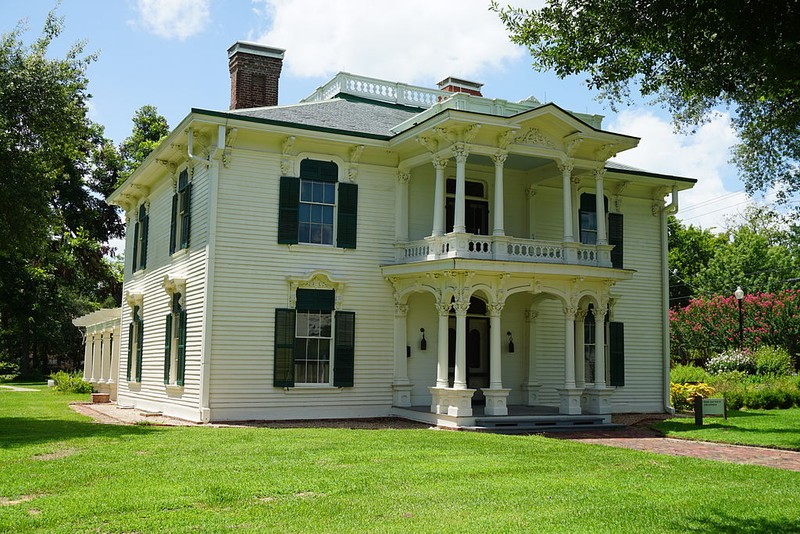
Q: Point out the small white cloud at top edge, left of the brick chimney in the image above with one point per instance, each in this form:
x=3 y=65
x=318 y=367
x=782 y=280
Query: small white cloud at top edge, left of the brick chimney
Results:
x=173 y=19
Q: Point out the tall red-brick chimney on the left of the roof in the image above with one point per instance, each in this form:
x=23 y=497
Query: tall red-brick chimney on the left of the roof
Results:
x=255 y=70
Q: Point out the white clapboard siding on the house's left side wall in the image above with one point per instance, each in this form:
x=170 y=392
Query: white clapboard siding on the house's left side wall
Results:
x=190 y=264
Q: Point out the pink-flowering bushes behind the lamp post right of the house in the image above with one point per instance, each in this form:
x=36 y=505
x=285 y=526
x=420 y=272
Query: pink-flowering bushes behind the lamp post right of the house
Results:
x=710 y=325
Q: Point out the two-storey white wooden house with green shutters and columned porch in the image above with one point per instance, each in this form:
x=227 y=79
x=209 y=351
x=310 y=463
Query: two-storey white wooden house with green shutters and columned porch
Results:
x=381 y=248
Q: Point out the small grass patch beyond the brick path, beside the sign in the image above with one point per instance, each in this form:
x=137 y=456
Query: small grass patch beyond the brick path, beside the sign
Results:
x=765 y=428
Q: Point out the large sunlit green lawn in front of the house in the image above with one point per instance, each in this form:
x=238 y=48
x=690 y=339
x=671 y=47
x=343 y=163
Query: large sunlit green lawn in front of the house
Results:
x=72 y=475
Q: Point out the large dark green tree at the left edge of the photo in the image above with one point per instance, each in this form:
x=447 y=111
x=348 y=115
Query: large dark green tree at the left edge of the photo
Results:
x=57 y=170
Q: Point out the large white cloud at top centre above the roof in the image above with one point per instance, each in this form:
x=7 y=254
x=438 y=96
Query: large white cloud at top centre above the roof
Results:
x=415 y=41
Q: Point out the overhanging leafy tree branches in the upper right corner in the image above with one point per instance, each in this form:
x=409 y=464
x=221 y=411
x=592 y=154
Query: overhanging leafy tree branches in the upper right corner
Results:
x=692 y=57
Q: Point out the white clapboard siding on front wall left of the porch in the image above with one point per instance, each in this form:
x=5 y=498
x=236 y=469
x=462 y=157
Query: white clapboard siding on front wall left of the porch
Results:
x=251 y=282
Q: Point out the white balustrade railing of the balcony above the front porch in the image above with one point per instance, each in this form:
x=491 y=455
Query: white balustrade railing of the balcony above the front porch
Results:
x=503 y=248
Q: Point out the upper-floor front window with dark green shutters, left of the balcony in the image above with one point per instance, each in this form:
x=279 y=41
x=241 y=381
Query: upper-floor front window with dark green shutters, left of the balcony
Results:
x=315 y=208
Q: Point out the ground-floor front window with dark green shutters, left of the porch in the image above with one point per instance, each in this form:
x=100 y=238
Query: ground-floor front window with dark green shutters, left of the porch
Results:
x=314 y=345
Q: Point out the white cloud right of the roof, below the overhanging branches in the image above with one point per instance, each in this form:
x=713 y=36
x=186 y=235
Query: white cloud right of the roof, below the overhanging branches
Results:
x=703 y=155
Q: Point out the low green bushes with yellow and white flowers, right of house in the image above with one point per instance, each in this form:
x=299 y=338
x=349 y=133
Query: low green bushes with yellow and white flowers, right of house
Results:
x=761 y=379
